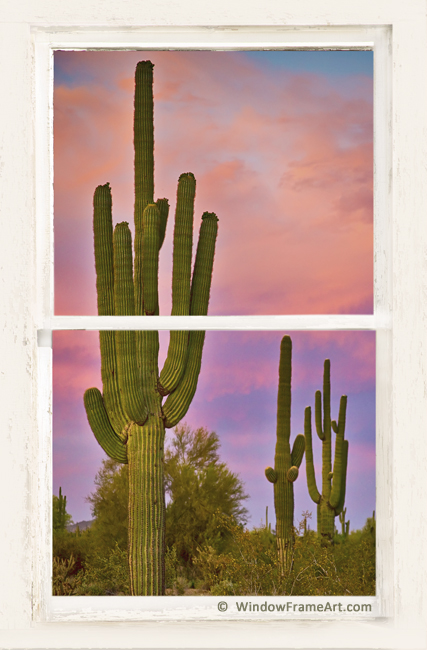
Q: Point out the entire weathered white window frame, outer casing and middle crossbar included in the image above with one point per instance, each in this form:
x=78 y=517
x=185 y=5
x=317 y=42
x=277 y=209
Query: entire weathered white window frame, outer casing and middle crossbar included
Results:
x=399 y=317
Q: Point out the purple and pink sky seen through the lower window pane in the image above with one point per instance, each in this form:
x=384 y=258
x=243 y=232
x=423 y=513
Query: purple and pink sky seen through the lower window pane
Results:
x=237 y=398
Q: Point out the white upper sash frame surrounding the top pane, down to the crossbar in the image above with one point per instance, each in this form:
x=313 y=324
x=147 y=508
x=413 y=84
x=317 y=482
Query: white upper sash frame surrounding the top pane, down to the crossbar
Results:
x=372 y=38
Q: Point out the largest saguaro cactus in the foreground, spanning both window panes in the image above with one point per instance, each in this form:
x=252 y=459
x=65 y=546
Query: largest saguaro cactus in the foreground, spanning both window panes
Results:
x=129 y=418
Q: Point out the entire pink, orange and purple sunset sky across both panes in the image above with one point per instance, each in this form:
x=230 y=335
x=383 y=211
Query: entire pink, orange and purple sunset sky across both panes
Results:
x=281 y=147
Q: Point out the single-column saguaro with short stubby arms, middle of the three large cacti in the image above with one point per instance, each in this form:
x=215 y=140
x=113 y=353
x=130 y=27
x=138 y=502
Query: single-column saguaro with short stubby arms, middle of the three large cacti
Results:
x=286 y=462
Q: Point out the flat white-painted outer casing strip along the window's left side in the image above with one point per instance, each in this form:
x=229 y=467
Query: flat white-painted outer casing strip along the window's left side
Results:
x=17 y=343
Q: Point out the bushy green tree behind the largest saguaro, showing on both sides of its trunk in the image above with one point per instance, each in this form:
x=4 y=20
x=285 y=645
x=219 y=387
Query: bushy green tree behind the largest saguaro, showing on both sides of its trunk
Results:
x=199 y=488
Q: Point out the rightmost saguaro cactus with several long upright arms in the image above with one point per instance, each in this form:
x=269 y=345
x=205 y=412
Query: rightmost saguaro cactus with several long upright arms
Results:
x=330 y=502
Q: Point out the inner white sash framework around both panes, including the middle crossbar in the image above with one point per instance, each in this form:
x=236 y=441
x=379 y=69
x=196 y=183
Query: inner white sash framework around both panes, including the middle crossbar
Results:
x=378 y=39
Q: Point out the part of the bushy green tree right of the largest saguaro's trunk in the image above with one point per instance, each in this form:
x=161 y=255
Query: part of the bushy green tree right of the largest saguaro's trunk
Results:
x=201 y=490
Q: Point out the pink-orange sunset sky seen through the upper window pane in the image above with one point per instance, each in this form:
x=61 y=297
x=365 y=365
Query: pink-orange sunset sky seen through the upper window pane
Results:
x=280 y=143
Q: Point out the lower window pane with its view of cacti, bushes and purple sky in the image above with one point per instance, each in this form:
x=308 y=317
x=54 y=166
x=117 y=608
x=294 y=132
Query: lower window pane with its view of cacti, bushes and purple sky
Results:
x=229 y=526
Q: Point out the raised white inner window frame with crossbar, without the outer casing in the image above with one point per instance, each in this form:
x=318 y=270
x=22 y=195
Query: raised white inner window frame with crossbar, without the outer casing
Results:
x=61 y=609
